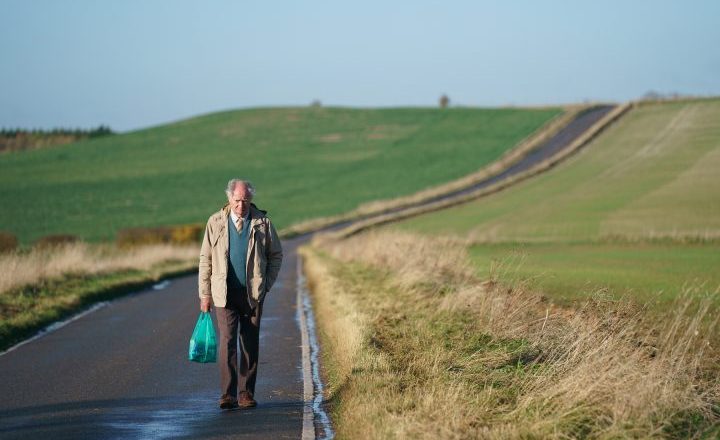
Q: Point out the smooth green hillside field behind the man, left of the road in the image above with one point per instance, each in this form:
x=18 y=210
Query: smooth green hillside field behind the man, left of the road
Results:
x=305 y=162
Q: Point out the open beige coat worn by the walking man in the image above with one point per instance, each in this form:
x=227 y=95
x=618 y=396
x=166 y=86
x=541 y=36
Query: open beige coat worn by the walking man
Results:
x=263 y=258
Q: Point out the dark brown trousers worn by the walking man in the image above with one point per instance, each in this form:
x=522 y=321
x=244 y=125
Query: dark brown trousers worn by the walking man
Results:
x=237 y=317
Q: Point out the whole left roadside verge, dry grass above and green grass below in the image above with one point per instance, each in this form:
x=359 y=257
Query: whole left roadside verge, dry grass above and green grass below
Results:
x=44 y=286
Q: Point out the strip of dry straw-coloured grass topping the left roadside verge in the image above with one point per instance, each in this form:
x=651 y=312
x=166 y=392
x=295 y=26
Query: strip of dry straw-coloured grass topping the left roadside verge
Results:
x=26 y=268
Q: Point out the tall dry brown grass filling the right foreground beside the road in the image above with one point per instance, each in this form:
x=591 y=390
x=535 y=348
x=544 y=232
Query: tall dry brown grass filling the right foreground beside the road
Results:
x=434 y=352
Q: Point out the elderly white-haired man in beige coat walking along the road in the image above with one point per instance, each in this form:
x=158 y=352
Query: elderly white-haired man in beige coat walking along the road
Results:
x=239 y=262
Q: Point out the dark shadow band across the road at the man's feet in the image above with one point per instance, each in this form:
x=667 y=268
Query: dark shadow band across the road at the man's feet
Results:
x=151 y=417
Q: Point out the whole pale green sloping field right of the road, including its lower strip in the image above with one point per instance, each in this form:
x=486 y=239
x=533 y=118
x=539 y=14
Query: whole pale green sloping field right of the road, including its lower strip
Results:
x=617 y=215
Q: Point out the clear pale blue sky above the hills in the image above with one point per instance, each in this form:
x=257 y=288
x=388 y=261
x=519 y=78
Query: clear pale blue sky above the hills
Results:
x=132 y=63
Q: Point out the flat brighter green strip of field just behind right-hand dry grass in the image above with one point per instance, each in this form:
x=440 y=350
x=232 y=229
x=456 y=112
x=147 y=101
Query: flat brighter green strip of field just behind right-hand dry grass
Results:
x=648 y=272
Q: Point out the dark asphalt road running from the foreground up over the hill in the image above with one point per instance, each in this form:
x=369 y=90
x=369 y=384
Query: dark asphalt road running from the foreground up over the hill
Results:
x=122 y=372
